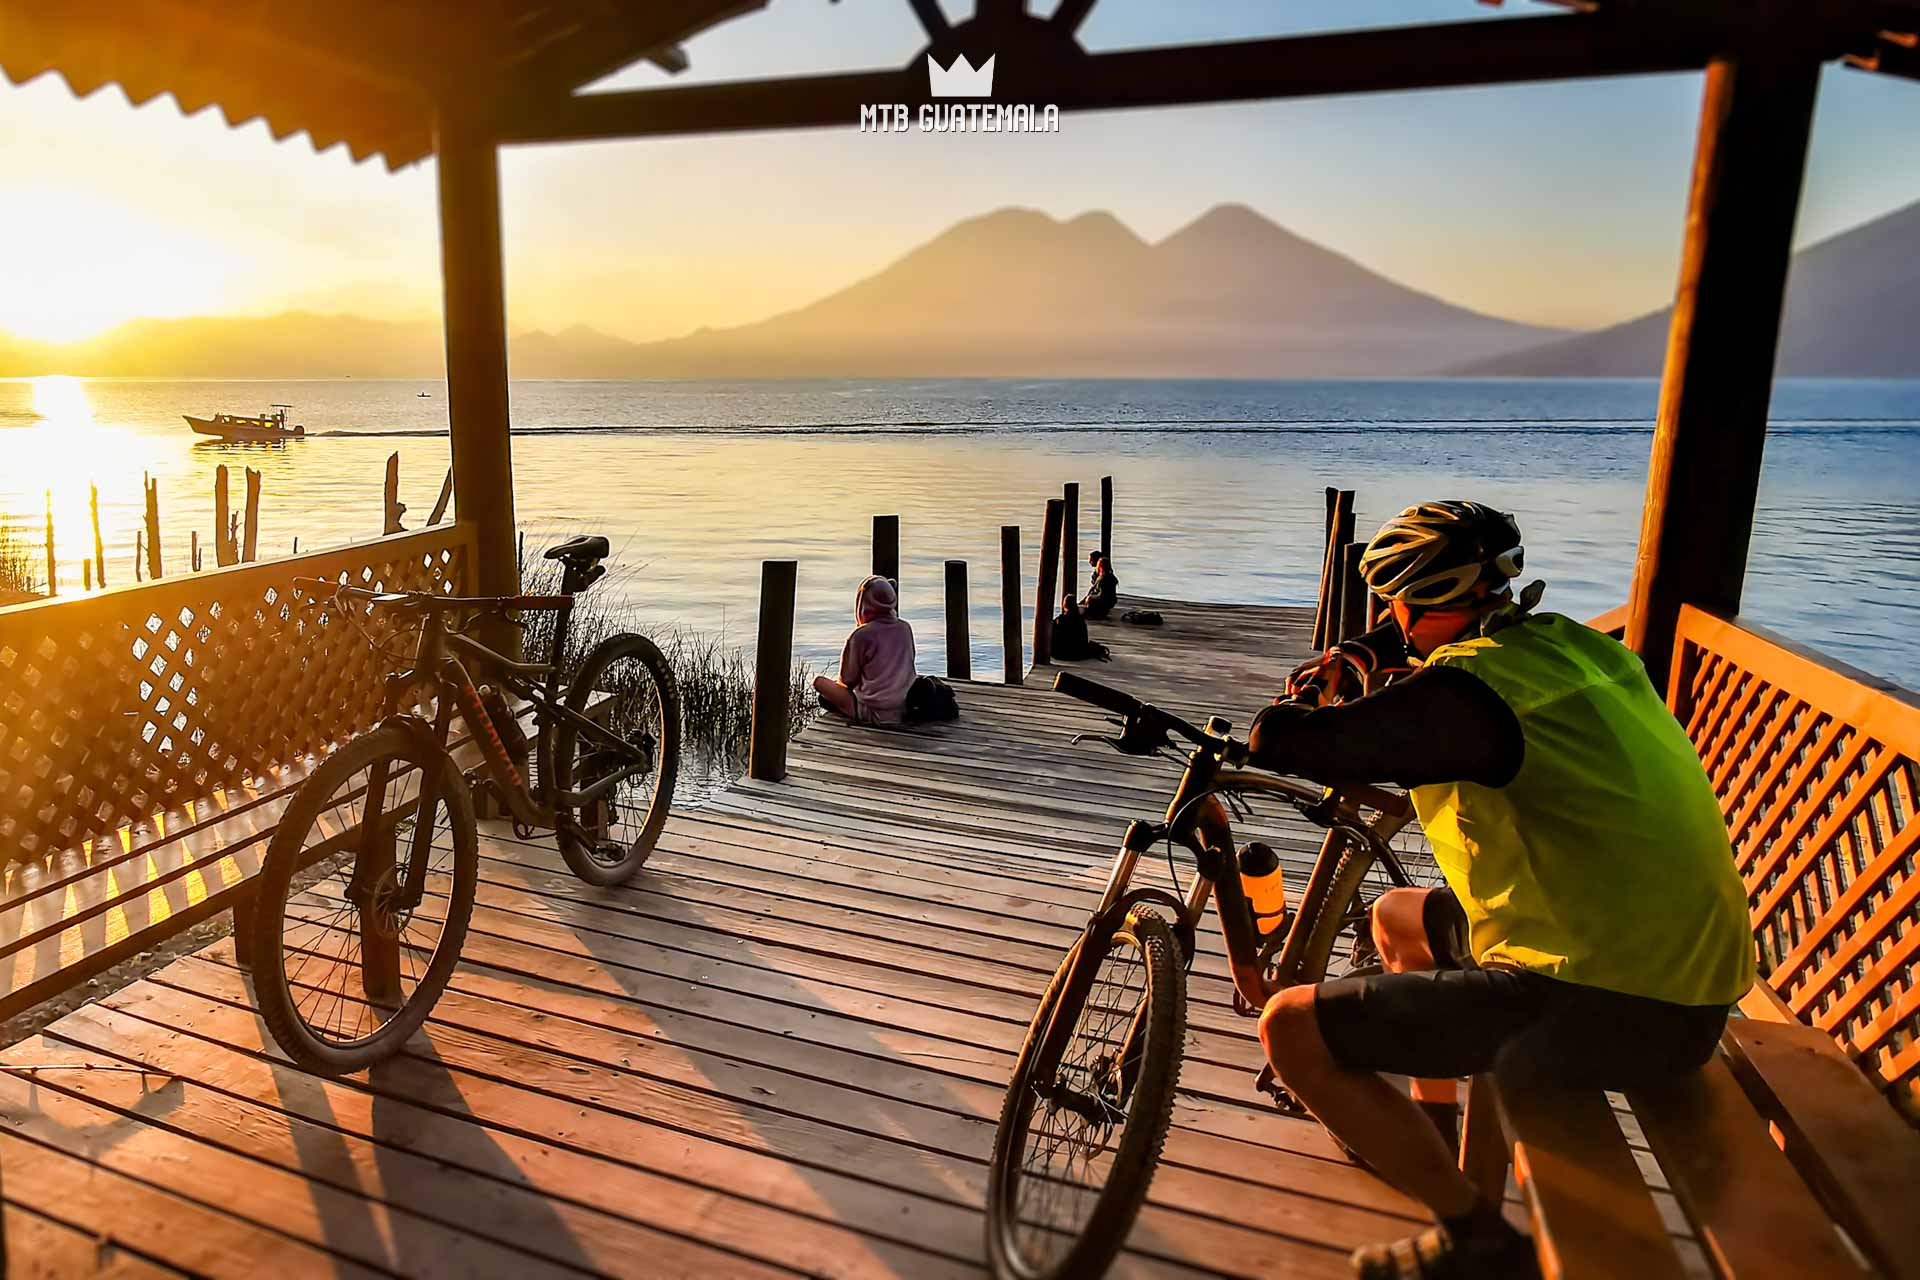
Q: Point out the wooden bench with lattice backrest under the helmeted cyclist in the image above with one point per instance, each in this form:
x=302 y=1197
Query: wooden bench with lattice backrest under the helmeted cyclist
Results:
x=1794 y=1150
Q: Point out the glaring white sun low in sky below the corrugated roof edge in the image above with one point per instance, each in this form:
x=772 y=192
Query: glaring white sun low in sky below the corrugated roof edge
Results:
x=78 y=266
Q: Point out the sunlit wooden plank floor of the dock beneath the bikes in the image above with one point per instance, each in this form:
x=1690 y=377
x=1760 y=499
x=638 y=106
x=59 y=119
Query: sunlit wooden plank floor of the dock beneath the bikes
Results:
x=779 y=1053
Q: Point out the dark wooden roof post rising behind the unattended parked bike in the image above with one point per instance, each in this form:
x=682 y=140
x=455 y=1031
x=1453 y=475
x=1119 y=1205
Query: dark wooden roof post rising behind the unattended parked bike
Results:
x=475 y=312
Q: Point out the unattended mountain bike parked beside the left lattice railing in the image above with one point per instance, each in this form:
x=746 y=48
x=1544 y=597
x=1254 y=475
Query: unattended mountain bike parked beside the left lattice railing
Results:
x=347 y=970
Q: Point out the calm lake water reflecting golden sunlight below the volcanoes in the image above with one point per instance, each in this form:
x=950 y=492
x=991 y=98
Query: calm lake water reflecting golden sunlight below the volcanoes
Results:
x=1218 y=485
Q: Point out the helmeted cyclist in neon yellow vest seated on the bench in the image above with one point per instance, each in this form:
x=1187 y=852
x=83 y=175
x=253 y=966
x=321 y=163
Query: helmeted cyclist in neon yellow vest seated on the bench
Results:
x=1593 y=930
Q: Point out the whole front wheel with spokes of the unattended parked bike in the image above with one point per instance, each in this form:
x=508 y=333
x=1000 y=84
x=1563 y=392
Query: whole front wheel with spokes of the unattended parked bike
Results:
x=345 y=984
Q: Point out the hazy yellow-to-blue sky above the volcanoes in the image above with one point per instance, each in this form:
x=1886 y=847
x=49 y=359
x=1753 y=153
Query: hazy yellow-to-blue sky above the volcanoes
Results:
x=1554 y=204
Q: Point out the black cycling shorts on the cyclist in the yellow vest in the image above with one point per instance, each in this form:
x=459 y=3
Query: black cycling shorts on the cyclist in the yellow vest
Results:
x=1460 y=1022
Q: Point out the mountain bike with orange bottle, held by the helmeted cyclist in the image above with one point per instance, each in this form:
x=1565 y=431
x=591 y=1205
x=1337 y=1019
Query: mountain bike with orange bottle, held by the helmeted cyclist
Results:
x=1092 y=1099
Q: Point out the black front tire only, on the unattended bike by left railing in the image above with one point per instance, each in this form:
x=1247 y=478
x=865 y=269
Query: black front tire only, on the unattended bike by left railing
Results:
x=285 y=857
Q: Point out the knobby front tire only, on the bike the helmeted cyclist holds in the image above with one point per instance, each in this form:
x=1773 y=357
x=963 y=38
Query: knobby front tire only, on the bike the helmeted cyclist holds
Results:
x=1143 y=1135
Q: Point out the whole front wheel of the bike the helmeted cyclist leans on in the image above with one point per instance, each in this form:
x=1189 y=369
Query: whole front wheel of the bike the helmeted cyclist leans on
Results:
x=1065 y=1185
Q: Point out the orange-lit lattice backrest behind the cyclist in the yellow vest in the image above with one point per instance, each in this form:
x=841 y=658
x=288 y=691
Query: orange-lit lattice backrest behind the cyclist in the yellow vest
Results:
x=1819 y=770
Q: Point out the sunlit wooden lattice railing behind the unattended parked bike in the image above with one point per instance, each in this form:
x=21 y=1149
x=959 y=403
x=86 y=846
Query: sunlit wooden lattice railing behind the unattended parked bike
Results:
x=128 y=703
